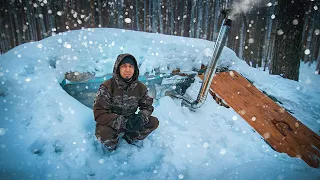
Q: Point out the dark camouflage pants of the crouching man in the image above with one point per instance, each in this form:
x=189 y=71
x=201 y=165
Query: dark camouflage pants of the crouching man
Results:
x=108 y=134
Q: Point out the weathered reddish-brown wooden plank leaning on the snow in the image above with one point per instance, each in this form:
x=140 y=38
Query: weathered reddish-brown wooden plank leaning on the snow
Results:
x=279 y=128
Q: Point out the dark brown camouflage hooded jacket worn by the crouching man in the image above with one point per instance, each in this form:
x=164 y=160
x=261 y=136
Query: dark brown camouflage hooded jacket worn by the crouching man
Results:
x=116 y=99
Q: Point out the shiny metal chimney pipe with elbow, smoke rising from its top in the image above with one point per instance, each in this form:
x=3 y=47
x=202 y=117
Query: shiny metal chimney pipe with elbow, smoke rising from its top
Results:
x=210 y=72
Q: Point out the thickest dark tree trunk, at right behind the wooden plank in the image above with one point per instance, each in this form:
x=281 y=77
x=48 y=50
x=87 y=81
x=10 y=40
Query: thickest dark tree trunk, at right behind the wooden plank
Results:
x=286 y=59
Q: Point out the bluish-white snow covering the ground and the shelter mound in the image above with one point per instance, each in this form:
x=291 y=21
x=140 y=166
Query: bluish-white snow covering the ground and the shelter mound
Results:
x=47 y=134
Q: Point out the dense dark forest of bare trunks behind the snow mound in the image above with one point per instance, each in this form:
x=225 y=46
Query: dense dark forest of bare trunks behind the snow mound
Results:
x=273 y=35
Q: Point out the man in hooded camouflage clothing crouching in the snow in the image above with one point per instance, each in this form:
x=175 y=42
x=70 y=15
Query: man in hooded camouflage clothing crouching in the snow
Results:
x=117 y=101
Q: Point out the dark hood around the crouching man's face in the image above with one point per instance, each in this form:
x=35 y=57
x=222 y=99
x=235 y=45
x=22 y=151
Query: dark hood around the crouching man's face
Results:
x=116 y=72
